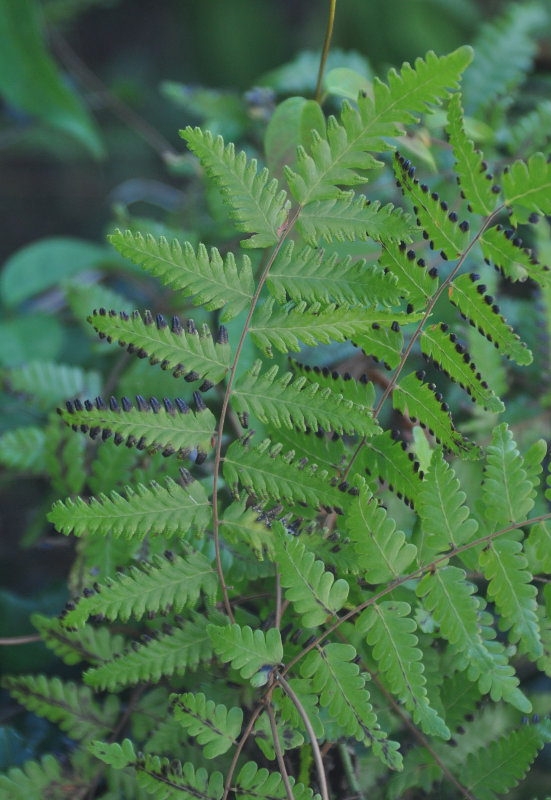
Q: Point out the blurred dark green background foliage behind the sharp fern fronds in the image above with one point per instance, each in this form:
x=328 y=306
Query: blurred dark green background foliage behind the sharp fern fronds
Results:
x=92 y=95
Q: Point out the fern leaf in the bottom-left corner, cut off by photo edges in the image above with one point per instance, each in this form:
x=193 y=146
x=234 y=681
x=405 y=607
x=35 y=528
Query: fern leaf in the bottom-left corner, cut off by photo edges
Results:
x=36 y=780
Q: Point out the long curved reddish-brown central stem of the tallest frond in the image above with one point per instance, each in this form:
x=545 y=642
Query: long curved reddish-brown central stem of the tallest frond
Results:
x=225 y=405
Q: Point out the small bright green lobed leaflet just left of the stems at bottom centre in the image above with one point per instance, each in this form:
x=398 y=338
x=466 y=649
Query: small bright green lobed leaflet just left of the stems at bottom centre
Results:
x=212 y=725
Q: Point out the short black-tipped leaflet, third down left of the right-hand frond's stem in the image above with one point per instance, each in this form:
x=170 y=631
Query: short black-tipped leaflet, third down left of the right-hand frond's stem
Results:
x=414 y=280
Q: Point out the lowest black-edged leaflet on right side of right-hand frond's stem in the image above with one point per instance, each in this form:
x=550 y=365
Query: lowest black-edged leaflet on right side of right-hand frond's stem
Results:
x=387 y=460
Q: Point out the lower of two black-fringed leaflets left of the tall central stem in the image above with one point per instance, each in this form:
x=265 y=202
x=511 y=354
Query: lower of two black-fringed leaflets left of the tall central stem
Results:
x=169 y=427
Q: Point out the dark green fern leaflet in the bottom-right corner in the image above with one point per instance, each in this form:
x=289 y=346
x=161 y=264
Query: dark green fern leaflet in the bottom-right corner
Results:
x=500 y=765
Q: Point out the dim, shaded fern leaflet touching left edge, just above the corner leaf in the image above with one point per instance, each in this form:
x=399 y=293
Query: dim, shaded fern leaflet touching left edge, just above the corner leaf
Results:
x=70 y=706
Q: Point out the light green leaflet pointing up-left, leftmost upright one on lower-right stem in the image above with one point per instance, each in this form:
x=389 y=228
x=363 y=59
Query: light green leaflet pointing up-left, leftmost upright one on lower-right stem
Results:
x=313 y=591
